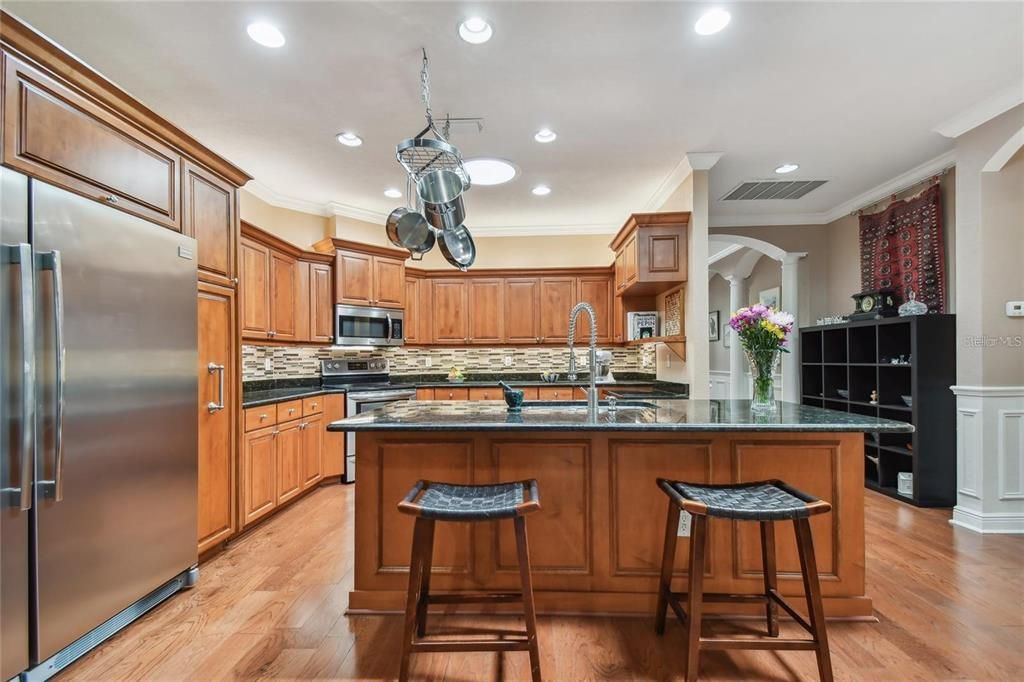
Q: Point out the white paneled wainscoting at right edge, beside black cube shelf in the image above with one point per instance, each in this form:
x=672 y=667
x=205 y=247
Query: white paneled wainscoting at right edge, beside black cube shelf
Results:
x=990 y=459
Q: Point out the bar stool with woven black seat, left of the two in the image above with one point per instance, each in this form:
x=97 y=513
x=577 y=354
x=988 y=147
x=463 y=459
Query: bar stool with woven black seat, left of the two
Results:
x=432 y=502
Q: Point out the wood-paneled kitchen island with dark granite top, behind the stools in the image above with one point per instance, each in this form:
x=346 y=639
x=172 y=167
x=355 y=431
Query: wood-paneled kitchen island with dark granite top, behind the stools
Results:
x=596 y=543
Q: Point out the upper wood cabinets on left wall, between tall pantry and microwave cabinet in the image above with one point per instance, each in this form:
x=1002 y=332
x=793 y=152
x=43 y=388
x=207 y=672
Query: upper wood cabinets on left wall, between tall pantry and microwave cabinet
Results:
x=287 y=293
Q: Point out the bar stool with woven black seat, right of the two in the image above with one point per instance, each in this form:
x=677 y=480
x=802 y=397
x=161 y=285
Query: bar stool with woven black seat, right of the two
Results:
x=766 y=501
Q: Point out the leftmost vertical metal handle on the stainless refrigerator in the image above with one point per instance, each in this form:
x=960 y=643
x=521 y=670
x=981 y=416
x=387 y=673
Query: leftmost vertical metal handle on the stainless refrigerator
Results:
x=21 y=255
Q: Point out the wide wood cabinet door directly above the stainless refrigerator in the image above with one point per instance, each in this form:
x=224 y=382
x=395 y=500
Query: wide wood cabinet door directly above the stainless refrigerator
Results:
x=55 y=134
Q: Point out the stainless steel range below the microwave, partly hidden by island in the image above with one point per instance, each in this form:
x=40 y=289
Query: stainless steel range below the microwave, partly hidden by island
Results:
x=368 y=387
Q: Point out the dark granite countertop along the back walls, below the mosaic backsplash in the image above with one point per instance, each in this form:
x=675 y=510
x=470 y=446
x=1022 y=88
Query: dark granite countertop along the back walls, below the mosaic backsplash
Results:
x=255 y=394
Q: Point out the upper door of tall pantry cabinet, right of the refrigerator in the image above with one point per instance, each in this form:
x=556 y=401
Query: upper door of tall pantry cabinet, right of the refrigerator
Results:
x=208 y=215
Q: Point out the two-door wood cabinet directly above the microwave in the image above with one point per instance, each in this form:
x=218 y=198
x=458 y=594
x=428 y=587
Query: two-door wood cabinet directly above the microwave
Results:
x=363 y=279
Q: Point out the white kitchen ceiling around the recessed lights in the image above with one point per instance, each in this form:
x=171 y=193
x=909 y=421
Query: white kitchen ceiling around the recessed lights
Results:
x=851 y=93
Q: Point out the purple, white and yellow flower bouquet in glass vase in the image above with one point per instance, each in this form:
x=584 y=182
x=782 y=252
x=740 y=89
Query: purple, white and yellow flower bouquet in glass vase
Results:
x=762 y=332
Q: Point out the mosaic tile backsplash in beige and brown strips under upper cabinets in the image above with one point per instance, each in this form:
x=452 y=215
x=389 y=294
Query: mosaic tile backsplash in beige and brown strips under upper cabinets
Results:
x=304 y=362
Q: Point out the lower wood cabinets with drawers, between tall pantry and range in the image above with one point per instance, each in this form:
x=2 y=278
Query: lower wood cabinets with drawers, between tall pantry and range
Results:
x=282 y=461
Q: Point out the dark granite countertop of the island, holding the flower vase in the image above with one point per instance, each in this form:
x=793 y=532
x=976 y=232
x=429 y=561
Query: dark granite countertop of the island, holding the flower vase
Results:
x=653 y=415
